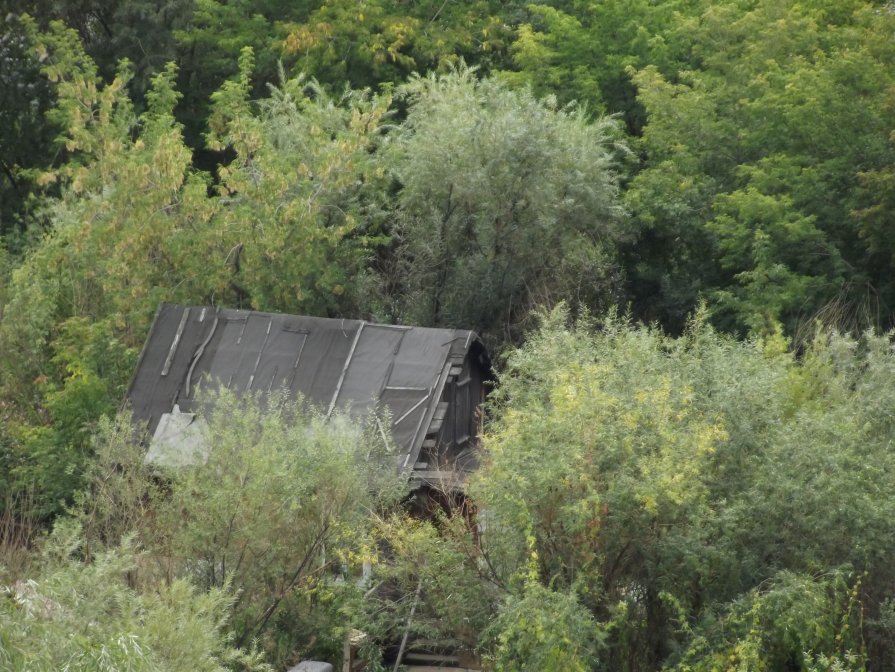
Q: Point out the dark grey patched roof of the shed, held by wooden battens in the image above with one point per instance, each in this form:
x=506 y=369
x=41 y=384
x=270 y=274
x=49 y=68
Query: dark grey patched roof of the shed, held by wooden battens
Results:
x=333 y=363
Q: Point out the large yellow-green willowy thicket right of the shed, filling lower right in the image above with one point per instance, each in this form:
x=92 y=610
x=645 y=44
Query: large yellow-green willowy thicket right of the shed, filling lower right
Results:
x=699 y=497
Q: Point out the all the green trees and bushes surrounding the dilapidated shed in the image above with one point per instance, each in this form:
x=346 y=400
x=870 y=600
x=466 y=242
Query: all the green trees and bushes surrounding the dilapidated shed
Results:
x=711 y=491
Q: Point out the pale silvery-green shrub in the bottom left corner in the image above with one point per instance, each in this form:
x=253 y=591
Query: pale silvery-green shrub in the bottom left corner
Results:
x=87 y=616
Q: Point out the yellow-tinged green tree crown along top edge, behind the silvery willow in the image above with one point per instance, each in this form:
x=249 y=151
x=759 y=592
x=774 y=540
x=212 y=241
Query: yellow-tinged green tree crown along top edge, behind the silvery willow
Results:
x=338 y=43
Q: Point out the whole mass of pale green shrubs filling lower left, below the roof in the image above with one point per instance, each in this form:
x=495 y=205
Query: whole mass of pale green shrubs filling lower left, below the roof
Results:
x=259 y=545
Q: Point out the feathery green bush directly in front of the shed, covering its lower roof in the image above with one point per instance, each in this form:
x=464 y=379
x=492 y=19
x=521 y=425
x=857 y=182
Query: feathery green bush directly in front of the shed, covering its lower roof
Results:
x=281 y=513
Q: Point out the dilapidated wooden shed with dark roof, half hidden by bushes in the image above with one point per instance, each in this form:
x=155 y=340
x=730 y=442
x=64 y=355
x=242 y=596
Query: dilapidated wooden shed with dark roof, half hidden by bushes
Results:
x=431 y=380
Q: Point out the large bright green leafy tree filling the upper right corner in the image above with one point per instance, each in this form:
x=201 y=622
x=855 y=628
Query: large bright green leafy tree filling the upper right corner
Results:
x=756 y=151
